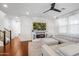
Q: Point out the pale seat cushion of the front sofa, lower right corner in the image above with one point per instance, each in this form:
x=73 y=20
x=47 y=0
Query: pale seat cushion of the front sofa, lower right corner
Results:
x=70 y=50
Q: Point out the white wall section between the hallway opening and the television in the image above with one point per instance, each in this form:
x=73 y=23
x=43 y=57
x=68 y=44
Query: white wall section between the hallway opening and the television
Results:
x=26 y=27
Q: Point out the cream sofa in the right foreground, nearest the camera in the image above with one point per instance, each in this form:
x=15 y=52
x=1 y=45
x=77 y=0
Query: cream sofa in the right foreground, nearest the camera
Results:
x=66 y=49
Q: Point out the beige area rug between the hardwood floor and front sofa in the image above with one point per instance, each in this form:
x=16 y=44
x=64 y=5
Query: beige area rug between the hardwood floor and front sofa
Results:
x=34 y=48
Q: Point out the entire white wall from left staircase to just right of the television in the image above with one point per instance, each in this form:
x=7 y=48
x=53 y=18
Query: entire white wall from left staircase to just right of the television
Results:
x=24 y=25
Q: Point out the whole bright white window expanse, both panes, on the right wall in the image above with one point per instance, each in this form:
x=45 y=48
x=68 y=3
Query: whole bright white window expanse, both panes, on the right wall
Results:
x=69 y=25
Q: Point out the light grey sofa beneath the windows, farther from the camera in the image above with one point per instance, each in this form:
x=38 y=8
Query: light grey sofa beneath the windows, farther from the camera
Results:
x=66 y=38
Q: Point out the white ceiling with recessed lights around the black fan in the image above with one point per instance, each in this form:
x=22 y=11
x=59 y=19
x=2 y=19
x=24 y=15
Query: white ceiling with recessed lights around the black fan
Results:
x=37 y=9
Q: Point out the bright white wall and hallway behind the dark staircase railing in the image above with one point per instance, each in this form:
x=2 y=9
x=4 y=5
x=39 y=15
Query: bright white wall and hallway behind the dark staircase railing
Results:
x=12 y=24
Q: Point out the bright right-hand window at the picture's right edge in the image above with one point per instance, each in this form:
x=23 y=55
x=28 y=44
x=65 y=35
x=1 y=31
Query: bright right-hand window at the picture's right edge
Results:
x=74 y=24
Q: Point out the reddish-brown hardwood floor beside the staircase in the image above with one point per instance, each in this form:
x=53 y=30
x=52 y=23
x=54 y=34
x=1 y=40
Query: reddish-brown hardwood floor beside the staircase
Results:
x=15 y=48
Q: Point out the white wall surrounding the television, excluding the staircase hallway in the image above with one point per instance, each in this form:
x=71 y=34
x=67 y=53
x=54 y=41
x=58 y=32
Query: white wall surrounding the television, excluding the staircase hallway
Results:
x=26 y=26
